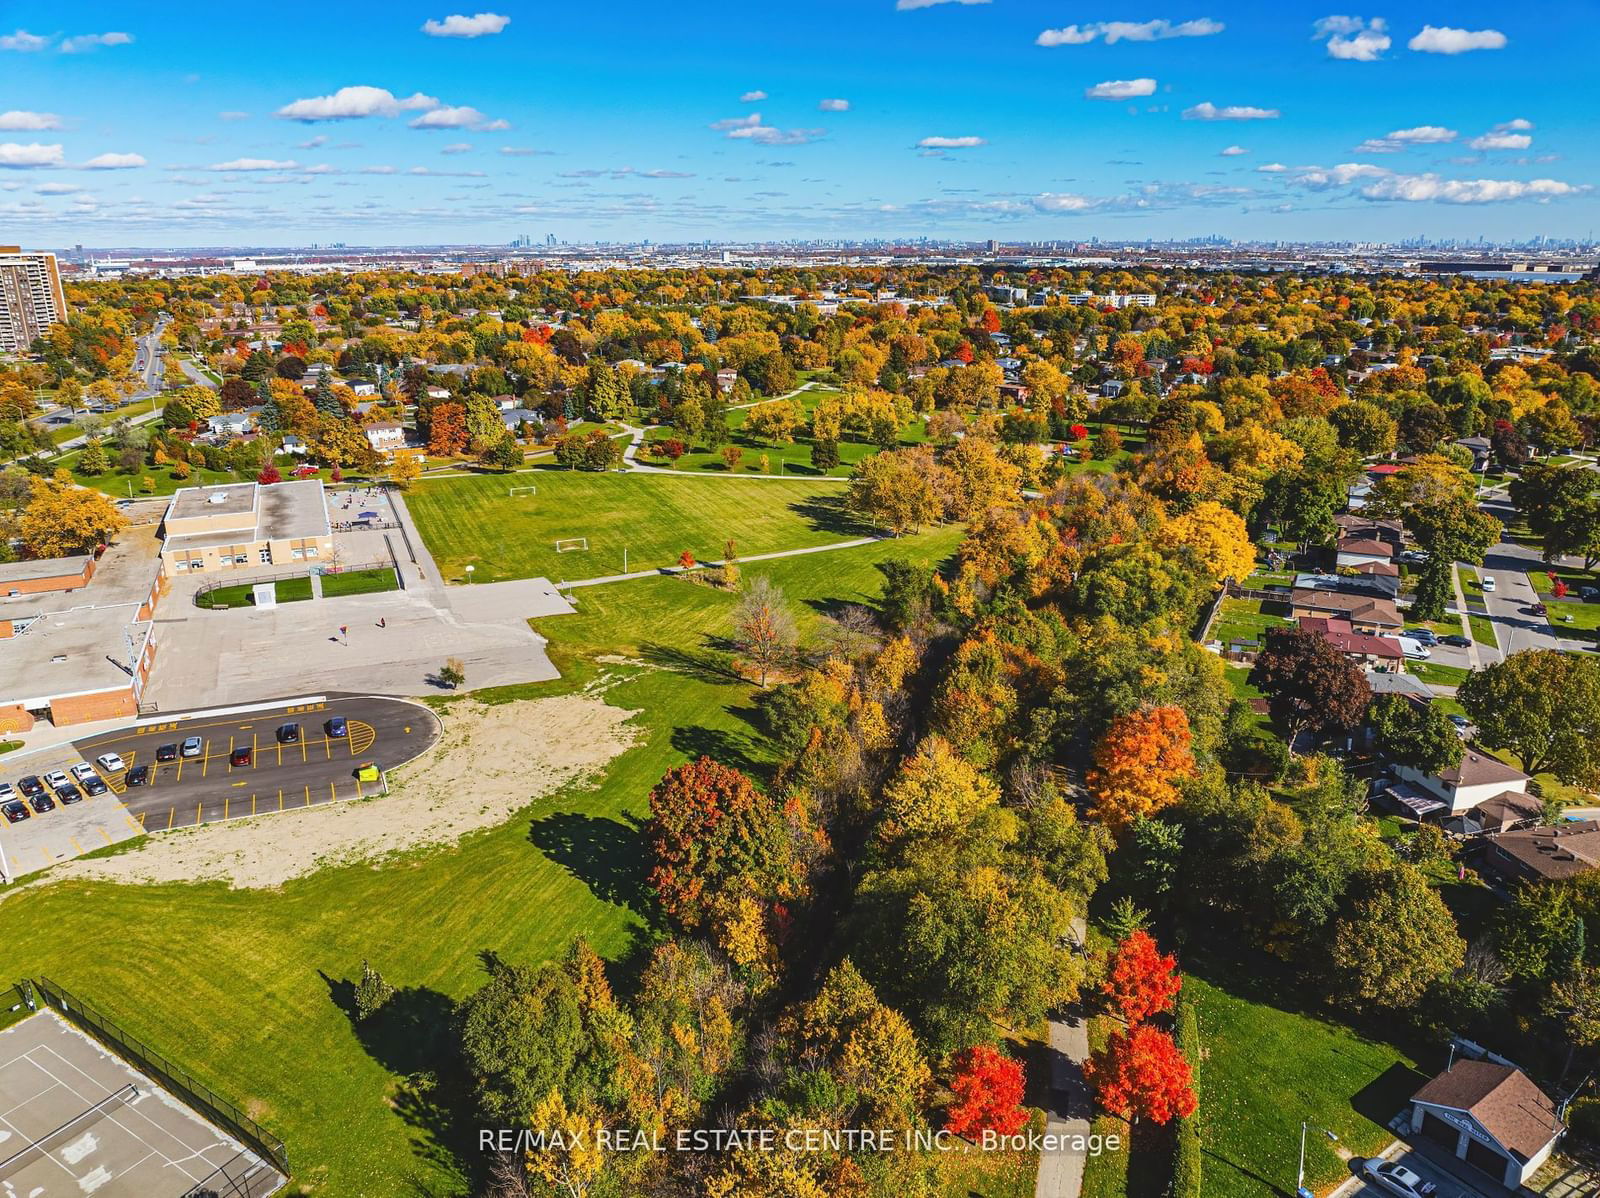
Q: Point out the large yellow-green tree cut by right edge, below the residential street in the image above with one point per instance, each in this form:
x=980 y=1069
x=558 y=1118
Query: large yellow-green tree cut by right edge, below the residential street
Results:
x=1545 y=708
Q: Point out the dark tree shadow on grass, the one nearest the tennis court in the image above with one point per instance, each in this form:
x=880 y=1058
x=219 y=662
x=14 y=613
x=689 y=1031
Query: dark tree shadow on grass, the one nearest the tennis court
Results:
x=414 y=1037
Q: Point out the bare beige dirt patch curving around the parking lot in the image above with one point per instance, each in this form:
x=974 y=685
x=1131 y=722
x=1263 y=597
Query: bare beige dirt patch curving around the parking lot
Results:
x=489 y=764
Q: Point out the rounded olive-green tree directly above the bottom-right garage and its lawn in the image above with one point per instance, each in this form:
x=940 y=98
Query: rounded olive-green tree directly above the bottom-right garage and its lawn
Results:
x=1394 y=940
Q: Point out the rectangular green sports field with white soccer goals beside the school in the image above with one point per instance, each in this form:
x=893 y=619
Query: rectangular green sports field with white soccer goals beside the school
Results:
x=655 y=519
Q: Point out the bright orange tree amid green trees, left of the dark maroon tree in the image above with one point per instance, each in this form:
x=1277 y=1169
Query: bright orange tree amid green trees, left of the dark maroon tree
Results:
x=1138 y=764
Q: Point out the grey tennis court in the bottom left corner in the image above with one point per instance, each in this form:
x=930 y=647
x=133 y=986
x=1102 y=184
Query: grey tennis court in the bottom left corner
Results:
x=76 y=1119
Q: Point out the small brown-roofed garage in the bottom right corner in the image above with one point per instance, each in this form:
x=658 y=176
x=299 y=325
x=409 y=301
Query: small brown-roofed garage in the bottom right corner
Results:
x=1492 y=1117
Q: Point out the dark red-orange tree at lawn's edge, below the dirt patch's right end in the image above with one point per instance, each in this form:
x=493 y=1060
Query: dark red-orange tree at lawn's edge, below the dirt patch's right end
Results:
x=711 y=833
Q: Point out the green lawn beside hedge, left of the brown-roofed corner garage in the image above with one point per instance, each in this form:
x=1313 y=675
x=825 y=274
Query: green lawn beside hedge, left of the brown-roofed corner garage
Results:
x=1268 y=1064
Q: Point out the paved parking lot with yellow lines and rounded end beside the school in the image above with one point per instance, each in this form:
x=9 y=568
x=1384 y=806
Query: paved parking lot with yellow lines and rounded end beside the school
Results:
x=279 y=775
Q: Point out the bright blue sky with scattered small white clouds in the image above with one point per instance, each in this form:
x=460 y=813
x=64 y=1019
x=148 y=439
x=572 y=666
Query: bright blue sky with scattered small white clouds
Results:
x=174 y=124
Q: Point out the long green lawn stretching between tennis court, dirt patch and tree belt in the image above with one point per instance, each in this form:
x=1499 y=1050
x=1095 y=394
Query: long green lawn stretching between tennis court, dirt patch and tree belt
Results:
x=242 y=986
